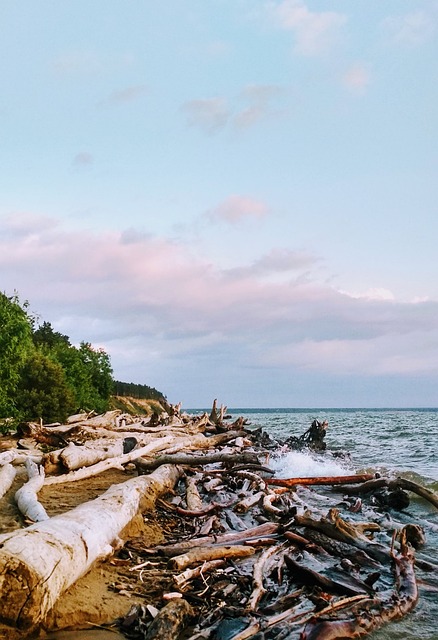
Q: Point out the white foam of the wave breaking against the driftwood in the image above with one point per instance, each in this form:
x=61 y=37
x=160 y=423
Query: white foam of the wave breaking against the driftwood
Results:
x=298 y=464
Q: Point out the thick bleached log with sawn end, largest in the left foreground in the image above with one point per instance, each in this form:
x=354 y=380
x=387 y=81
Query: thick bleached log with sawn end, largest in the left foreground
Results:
x=39 y=563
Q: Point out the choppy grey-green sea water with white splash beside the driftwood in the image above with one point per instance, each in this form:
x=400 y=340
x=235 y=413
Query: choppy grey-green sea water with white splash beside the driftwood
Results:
x=393 y=442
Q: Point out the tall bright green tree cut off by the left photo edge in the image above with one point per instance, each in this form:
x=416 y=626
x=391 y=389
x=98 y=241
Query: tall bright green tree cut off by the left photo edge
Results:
x=15 y=347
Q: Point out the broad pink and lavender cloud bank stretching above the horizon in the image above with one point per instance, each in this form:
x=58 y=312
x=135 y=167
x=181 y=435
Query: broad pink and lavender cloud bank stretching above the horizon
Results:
x=154 y=301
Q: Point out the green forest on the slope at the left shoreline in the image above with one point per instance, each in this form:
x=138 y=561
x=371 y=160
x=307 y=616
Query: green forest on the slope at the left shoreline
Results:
x=43 y=375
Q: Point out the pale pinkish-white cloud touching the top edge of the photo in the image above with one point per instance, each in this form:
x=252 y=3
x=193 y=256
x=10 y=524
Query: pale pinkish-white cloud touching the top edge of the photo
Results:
x=315 y=32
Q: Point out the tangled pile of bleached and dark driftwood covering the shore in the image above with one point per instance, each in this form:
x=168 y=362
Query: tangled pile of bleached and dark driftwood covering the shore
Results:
x=248 y=556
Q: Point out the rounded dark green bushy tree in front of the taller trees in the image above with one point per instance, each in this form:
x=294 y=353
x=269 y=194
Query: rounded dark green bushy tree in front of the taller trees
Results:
x=43 y=391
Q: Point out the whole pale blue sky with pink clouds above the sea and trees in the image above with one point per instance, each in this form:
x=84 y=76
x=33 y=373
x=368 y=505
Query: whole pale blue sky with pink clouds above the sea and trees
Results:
x=236 y=199
